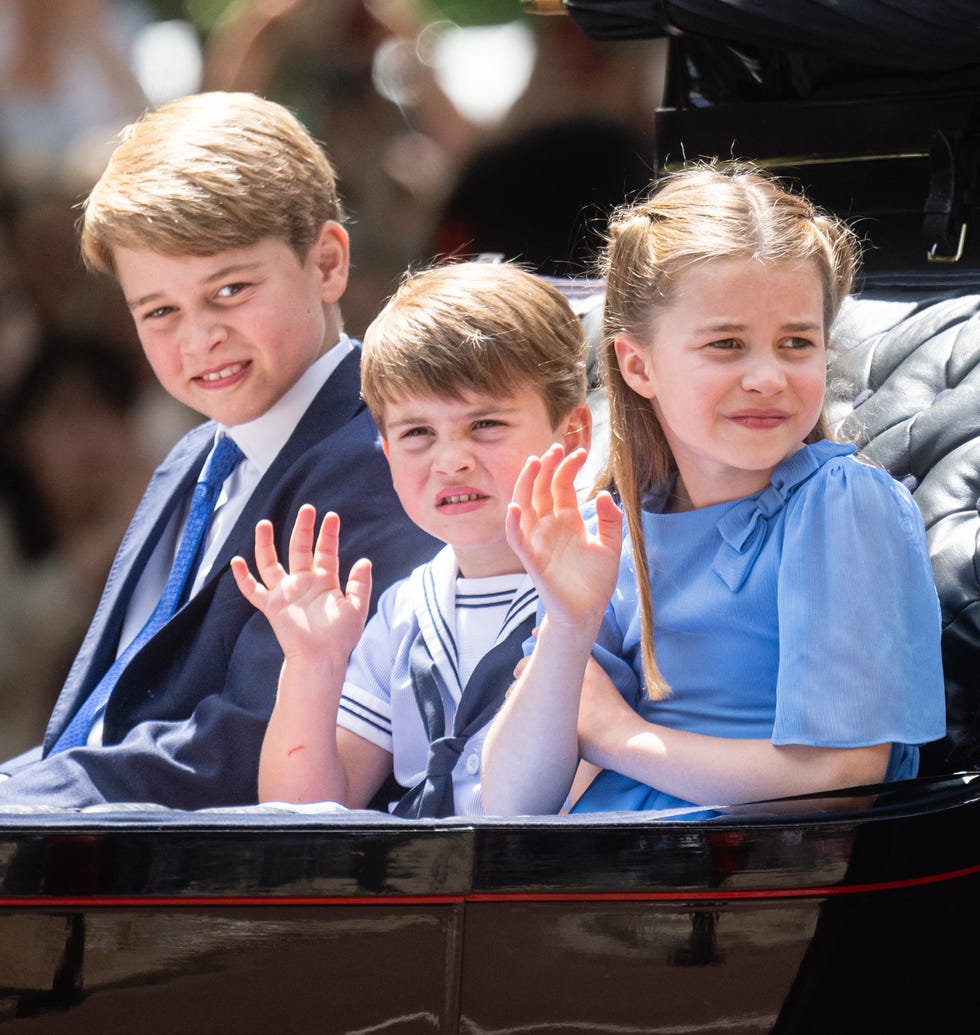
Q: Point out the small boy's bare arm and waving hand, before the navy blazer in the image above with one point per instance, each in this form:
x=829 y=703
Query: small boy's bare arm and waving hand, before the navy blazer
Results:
x=318 y=626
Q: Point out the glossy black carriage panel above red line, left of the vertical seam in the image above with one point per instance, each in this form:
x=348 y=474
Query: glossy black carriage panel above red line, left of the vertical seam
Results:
x=192 y=862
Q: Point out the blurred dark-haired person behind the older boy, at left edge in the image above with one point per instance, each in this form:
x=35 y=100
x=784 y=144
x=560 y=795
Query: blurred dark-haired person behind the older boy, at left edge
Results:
x=72 y=470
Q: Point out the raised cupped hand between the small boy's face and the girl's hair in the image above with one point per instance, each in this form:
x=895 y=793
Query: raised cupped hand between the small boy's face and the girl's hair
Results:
x=574 y=571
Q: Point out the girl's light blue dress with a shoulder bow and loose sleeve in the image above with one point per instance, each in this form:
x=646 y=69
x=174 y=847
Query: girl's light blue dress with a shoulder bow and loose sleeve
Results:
x=806 y=613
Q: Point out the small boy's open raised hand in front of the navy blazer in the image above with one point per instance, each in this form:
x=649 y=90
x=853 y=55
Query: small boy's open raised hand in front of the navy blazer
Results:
x=307 y=608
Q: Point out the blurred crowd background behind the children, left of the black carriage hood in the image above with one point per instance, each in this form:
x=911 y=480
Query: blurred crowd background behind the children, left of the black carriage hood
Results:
x=457 y=128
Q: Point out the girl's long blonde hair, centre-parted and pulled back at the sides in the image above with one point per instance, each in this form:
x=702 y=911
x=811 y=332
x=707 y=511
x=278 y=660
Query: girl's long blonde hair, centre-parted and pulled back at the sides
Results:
x=696 y=215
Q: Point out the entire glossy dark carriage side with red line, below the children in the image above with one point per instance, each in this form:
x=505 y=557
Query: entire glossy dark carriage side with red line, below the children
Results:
x=840 y=923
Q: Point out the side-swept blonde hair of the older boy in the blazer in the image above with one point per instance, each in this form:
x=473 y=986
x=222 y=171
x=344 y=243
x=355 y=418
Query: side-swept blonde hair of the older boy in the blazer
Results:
x=207 y=173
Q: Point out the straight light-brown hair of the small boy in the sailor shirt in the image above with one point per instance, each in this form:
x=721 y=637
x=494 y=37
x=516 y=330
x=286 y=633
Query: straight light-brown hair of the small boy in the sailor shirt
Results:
x=491 y=329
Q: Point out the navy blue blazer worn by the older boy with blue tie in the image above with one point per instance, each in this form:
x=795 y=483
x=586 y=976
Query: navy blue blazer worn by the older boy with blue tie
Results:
x=186 y=722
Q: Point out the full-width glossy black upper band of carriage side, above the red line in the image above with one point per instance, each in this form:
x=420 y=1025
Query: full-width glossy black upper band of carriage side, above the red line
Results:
x=917 y=830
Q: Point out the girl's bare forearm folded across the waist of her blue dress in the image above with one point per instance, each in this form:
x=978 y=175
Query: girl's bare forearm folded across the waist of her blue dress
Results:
x=706 y=770
